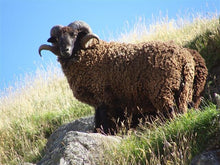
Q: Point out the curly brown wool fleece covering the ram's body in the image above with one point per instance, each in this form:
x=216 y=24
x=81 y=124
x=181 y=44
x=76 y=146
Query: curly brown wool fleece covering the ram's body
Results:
x=153 y=76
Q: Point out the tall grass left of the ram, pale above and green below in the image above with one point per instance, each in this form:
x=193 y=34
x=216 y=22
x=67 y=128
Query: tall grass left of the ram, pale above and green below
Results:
x=32 y=111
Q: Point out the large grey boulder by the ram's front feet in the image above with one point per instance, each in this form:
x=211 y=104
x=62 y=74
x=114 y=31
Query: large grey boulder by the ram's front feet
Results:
x=74 y=143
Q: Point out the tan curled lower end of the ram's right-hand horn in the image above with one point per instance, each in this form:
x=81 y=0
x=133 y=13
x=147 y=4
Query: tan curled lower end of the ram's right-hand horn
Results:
x=89 y=40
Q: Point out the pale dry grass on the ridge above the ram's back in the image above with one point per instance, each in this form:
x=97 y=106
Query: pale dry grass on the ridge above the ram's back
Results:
x=181 y=31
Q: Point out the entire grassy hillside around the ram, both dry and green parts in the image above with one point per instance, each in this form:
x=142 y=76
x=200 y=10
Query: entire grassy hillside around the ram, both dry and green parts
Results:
x=44 y=101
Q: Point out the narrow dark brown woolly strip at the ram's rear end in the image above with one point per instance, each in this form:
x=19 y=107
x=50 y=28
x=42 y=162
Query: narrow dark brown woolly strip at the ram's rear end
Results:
x=201 y=73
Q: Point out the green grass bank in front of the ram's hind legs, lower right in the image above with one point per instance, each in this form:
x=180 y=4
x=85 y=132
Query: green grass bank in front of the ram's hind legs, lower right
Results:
x=173 y=142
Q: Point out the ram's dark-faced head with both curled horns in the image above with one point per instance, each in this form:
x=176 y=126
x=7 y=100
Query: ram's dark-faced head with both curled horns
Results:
x=68 y=40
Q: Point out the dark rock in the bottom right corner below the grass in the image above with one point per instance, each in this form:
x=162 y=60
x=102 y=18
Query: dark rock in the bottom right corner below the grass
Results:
x=207 y=158
